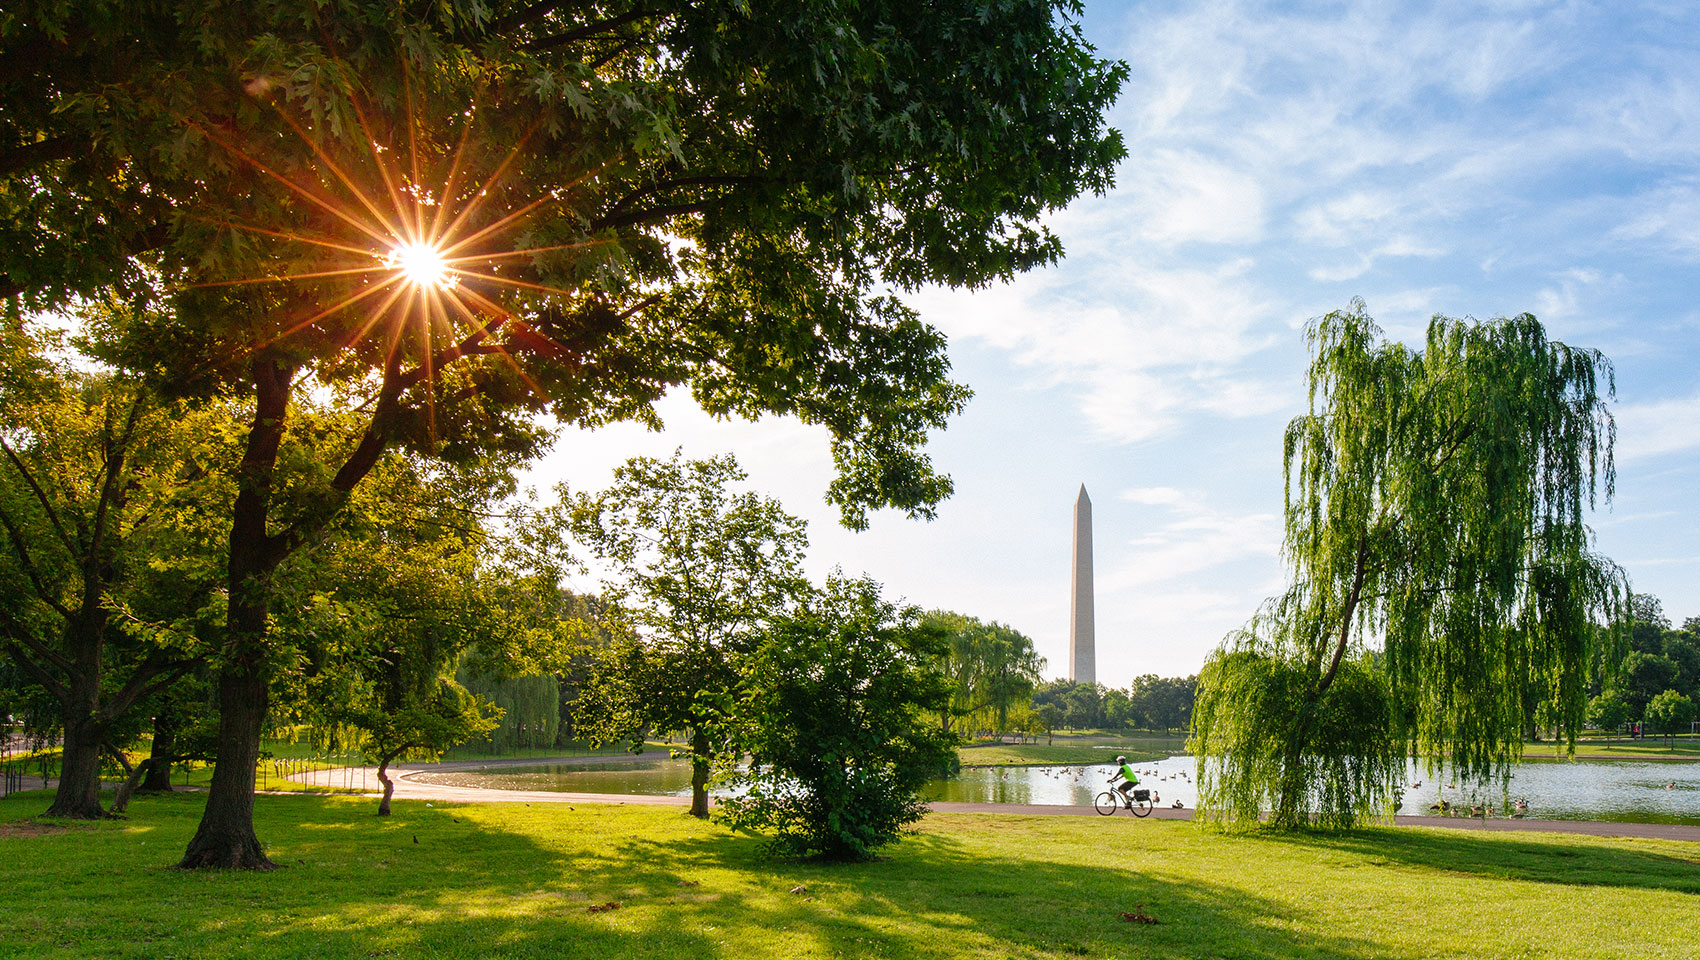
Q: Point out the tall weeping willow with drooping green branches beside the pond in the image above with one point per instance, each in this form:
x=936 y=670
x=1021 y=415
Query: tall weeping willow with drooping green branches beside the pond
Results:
x=1444 y=582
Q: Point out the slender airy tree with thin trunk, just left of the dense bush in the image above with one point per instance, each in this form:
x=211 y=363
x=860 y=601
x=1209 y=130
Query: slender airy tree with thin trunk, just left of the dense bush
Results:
x=700 y=570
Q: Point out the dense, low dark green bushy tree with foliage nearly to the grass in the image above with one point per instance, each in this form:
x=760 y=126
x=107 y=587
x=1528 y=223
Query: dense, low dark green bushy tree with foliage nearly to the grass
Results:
x=834 y=713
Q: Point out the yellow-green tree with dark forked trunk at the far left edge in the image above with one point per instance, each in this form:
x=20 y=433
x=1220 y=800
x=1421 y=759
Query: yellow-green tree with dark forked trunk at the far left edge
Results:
x=96 y=477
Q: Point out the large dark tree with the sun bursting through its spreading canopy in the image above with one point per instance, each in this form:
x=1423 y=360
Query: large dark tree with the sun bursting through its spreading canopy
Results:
x=472 y=213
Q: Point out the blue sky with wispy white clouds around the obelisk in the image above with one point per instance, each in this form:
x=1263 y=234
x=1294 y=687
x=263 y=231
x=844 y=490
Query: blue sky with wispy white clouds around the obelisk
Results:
x=1471 y=161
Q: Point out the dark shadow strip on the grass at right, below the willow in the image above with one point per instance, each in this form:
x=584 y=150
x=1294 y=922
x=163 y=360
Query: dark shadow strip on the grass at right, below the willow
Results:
x=1546 y=859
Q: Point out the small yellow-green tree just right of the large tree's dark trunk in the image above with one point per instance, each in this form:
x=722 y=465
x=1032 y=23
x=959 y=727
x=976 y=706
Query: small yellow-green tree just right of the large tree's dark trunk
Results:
x=407 y=587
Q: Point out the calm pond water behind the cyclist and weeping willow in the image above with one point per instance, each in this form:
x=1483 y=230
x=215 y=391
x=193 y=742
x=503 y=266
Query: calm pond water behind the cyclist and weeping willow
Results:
x=1565 y=791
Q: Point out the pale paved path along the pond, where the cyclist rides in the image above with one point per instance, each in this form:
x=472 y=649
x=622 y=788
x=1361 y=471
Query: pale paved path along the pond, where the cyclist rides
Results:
x=412 y=789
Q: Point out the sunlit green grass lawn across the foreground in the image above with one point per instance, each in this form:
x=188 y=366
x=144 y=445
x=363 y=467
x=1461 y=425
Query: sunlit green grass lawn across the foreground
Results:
x=511 y=881
